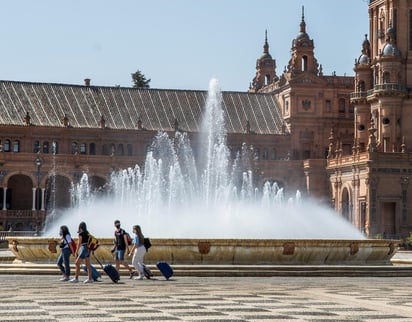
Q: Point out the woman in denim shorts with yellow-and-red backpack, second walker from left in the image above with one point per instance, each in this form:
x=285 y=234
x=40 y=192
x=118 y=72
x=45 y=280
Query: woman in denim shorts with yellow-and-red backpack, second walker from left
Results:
x=82 y=254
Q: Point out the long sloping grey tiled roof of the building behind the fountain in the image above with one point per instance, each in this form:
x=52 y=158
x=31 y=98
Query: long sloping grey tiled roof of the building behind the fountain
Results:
x=122 y=107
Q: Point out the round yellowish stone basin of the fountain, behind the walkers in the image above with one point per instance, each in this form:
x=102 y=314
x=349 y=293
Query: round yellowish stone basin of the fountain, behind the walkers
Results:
x=228 y=251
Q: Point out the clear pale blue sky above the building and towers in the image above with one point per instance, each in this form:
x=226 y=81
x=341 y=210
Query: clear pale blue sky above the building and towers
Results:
x=177 y=44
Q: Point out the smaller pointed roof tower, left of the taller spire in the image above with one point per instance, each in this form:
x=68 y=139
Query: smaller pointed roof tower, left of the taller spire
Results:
x=265 y=69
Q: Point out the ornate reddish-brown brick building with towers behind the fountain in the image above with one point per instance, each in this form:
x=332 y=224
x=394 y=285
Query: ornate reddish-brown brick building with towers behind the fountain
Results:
x=343 y=140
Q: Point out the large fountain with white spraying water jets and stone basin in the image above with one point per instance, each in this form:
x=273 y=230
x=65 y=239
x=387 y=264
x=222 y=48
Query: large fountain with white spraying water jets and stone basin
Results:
x=198 y=206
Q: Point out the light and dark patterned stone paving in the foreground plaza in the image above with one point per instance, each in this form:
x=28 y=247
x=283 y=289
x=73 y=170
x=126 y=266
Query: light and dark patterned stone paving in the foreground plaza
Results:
x=44 y=298
